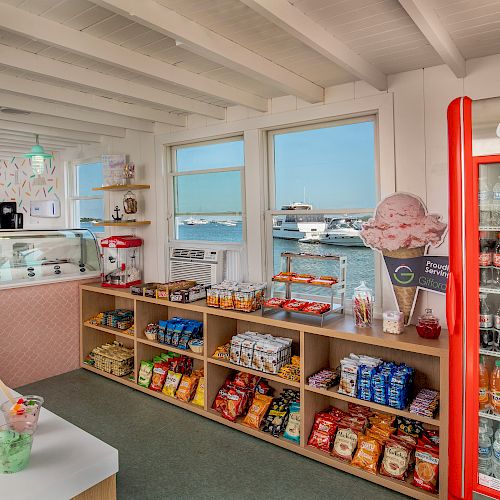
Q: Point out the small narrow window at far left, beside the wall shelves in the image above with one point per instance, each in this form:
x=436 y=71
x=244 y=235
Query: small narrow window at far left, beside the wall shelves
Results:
x=87 y=206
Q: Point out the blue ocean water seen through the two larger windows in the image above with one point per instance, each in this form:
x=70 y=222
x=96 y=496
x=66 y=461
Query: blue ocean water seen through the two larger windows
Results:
x=360 y=260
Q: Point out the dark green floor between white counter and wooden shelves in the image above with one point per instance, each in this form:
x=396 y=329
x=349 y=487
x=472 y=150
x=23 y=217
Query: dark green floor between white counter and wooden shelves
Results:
x=166 y=452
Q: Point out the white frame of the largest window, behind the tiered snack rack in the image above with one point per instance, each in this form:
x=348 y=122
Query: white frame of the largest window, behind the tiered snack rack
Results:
x=272 y=211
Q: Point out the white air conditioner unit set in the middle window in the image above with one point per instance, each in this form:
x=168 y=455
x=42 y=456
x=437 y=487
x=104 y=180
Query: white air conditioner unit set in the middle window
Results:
x=205 y=266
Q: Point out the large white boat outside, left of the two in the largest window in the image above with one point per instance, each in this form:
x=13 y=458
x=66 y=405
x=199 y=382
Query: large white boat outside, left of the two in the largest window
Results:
x=306 y=227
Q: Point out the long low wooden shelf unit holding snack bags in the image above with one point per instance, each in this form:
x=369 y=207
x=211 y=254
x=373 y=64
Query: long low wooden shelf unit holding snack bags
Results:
x=318 y=347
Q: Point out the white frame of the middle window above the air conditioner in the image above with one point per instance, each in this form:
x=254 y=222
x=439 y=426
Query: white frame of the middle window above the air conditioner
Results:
x=172 y=174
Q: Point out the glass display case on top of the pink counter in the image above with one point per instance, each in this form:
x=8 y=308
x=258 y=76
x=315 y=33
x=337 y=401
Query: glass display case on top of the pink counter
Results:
x=32 y=257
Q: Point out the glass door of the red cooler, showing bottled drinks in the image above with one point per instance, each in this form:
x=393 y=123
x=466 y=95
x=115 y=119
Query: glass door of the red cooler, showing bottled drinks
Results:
x=486 y=467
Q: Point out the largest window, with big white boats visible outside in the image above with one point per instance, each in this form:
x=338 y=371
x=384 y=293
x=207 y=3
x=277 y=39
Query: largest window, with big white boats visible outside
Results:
x=323 y=184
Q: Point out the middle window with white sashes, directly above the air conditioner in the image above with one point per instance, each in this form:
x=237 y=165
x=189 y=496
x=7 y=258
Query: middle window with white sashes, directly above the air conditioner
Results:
x=206 y=191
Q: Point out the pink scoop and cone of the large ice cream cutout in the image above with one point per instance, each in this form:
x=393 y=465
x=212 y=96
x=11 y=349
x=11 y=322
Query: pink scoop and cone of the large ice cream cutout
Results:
x=402 y=229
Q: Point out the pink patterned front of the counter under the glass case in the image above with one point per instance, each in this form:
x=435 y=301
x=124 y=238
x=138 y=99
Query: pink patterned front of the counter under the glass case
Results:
x=39 y=331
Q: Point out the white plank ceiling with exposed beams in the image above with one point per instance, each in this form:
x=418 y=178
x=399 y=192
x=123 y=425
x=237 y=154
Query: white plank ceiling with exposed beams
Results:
x=381 y=32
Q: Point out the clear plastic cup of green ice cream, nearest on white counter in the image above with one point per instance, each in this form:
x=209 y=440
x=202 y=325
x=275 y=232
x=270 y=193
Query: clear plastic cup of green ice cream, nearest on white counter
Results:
x=15 y=449
